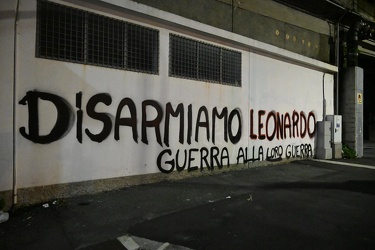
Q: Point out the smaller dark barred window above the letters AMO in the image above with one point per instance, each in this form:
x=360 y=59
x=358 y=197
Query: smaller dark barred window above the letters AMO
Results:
x=192 y=59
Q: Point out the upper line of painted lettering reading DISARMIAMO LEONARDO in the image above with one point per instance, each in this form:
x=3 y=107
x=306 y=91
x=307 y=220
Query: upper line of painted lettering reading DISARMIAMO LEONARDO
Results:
x=270 y=125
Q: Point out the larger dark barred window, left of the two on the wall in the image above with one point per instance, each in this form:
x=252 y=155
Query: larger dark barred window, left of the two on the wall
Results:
x=69 y=34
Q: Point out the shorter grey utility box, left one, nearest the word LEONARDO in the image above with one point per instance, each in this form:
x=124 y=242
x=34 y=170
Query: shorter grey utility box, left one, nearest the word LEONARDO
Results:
x=324 y=150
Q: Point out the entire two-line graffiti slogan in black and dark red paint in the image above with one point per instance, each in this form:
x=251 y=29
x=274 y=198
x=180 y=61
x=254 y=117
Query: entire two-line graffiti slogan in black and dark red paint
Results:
x=192 y=126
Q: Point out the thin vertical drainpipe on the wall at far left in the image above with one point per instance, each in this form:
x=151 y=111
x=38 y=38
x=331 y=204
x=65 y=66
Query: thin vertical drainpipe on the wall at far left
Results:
x=14 y=198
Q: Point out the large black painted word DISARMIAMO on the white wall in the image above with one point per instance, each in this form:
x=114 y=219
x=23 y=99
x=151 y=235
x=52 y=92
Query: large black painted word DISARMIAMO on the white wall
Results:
x=205 y=121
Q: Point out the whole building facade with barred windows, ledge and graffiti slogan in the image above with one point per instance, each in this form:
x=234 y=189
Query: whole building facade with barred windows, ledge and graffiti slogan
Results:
x=97 y=95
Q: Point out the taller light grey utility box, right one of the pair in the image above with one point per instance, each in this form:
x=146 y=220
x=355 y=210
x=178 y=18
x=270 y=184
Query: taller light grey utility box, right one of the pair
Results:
x=336 y=136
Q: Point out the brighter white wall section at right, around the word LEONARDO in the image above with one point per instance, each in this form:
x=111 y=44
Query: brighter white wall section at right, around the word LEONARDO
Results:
x=287 y=88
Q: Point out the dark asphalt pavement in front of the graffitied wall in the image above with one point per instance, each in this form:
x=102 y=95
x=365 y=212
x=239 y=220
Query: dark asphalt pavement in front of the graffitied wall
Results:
x=307 y=204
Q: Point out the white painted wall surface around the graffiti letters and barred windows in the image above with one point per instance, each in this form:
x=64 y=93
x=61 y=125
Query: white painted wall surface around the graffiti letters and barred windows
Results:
x=267 y=84
